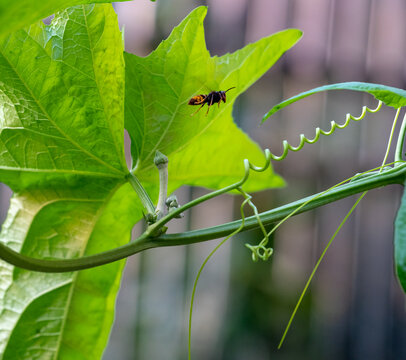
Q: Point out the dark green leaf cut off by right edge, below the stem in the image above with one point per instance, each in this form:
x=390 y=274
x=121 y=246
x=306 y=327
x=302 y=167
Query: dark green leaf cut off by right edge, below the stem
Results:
x=400 y=243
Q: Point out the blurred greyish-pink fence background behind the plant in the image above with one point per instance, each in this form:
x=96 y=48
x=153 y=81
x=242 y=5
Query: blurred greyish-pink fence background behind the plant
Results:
x=354 y=308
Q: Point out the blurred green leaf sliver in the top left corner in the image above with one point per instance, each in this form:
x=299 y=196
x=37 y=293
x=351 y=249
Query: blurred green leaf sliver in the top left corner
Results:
x=19 y=13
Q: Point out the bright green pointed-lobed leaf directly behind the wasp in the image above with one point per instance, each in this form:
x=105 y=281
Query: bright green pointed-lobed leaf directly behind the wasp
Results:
x=203 y=150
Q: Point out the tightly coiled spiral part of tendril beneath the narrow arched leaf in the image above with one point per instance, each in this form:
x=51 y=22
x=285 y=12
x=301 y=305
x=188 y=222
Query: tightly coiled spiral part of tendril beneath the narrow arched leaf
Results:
x=303 y=139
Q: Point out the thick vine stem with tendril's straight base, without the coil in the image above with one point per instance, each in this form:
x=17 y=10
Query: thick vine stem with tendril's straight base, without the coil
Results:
x=393 y=176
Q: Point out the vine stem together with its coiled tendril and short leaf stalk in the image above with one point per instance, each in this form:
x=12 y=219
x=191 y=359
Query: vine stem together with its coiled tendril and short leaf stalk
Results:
x=149 y=238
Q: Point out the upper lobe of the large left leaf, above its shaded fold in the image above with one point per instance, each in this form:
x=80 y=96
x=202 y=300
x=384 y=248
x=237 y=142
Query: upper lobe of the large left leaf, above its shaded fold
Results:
x=61 y=110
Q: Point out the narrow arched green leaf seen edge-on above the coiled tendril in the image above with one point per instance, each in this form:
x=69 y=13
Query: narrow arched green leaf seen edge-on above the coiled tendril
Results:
x=389 y=95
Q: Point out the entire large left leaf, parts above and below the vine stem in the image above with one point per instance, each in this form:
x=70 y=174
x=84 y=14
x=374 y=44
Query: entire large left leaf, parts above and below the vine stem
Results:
x=61 y=150
